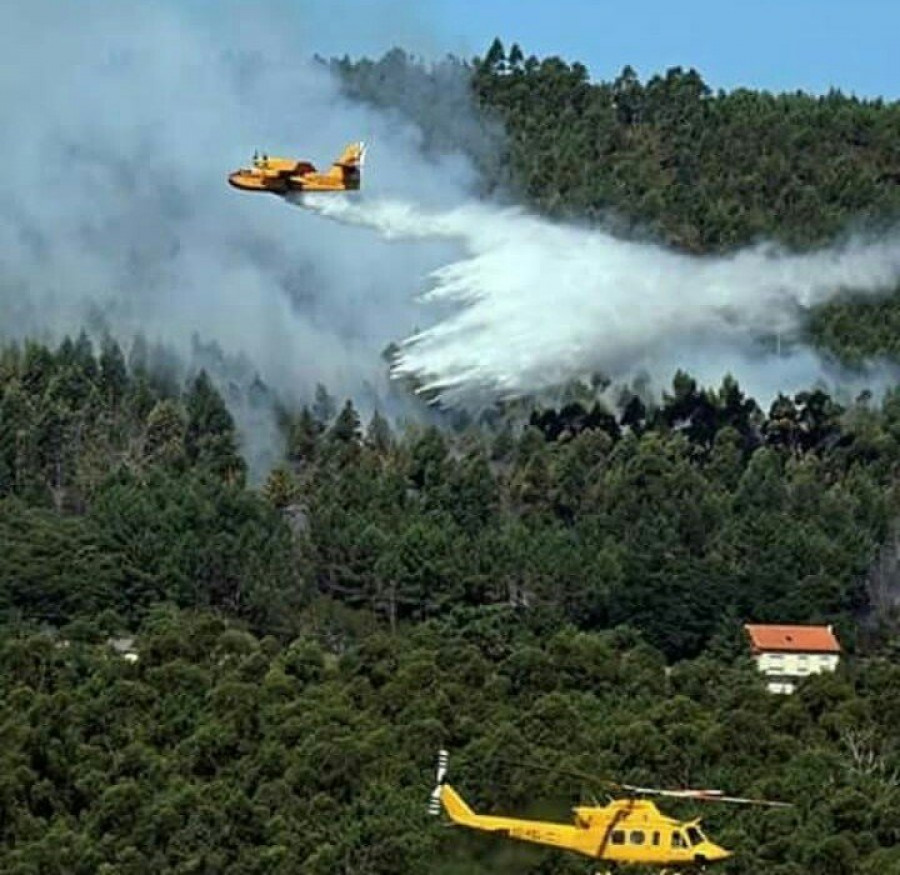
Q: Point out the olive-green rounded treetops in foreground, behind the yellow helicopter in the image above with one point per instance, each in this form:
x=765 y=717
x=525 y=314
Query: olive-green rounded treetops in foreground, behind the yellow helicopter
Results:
x=218 y=752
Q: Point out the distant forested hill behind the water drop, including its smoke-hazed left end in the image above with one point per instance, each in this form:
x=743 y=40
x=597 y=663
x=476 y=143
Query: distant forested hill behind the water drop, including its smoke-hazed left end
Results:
x=701 y=171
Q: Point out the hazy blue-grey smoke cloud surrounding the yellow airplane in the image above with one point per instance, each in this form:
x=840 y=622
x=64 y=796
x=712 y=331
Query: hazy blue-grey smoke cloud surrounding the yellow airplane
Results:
x=121 y=123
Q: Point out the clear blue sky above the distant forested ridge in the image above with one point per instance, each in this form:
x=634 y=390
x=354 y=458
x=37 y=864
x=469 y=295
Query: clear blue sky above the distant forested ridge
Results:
x=779 y=45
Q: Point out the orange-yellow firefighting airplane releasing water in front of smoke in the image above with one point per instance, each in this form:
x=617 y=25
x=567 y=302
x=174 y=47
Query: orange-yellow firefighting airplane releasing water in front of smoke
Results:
x=284 y=175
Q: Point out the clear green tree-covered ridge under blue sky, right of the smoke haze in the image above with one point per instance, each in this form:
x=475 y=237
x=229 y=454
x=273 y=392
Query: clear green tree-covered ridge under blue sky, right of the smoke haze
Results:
x=707 y=171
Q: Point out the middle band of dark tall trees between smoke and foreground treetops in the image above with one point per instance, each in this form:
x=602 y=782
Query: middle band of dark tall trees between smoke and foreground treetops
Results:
x=680 y=521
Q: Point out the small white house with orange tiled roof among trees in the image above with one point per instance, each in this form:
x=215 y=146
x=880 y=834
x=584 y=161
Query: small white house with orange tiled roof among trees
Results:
x=785 y=654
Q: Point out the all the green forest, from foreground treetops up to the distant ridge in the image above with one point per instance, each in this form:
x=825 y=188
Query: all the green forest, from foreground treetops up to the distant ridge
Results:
x=558 y=585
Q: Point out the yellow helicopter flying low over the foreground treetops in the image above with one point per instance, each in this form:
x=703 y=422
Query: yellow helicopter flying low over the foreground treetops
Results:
x=627 y=831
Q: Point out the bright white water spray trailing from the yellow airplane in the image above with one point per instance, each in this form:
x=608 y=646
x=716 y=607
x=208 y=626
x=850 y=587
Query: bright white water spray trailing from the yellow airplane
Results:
x=540 y=303
